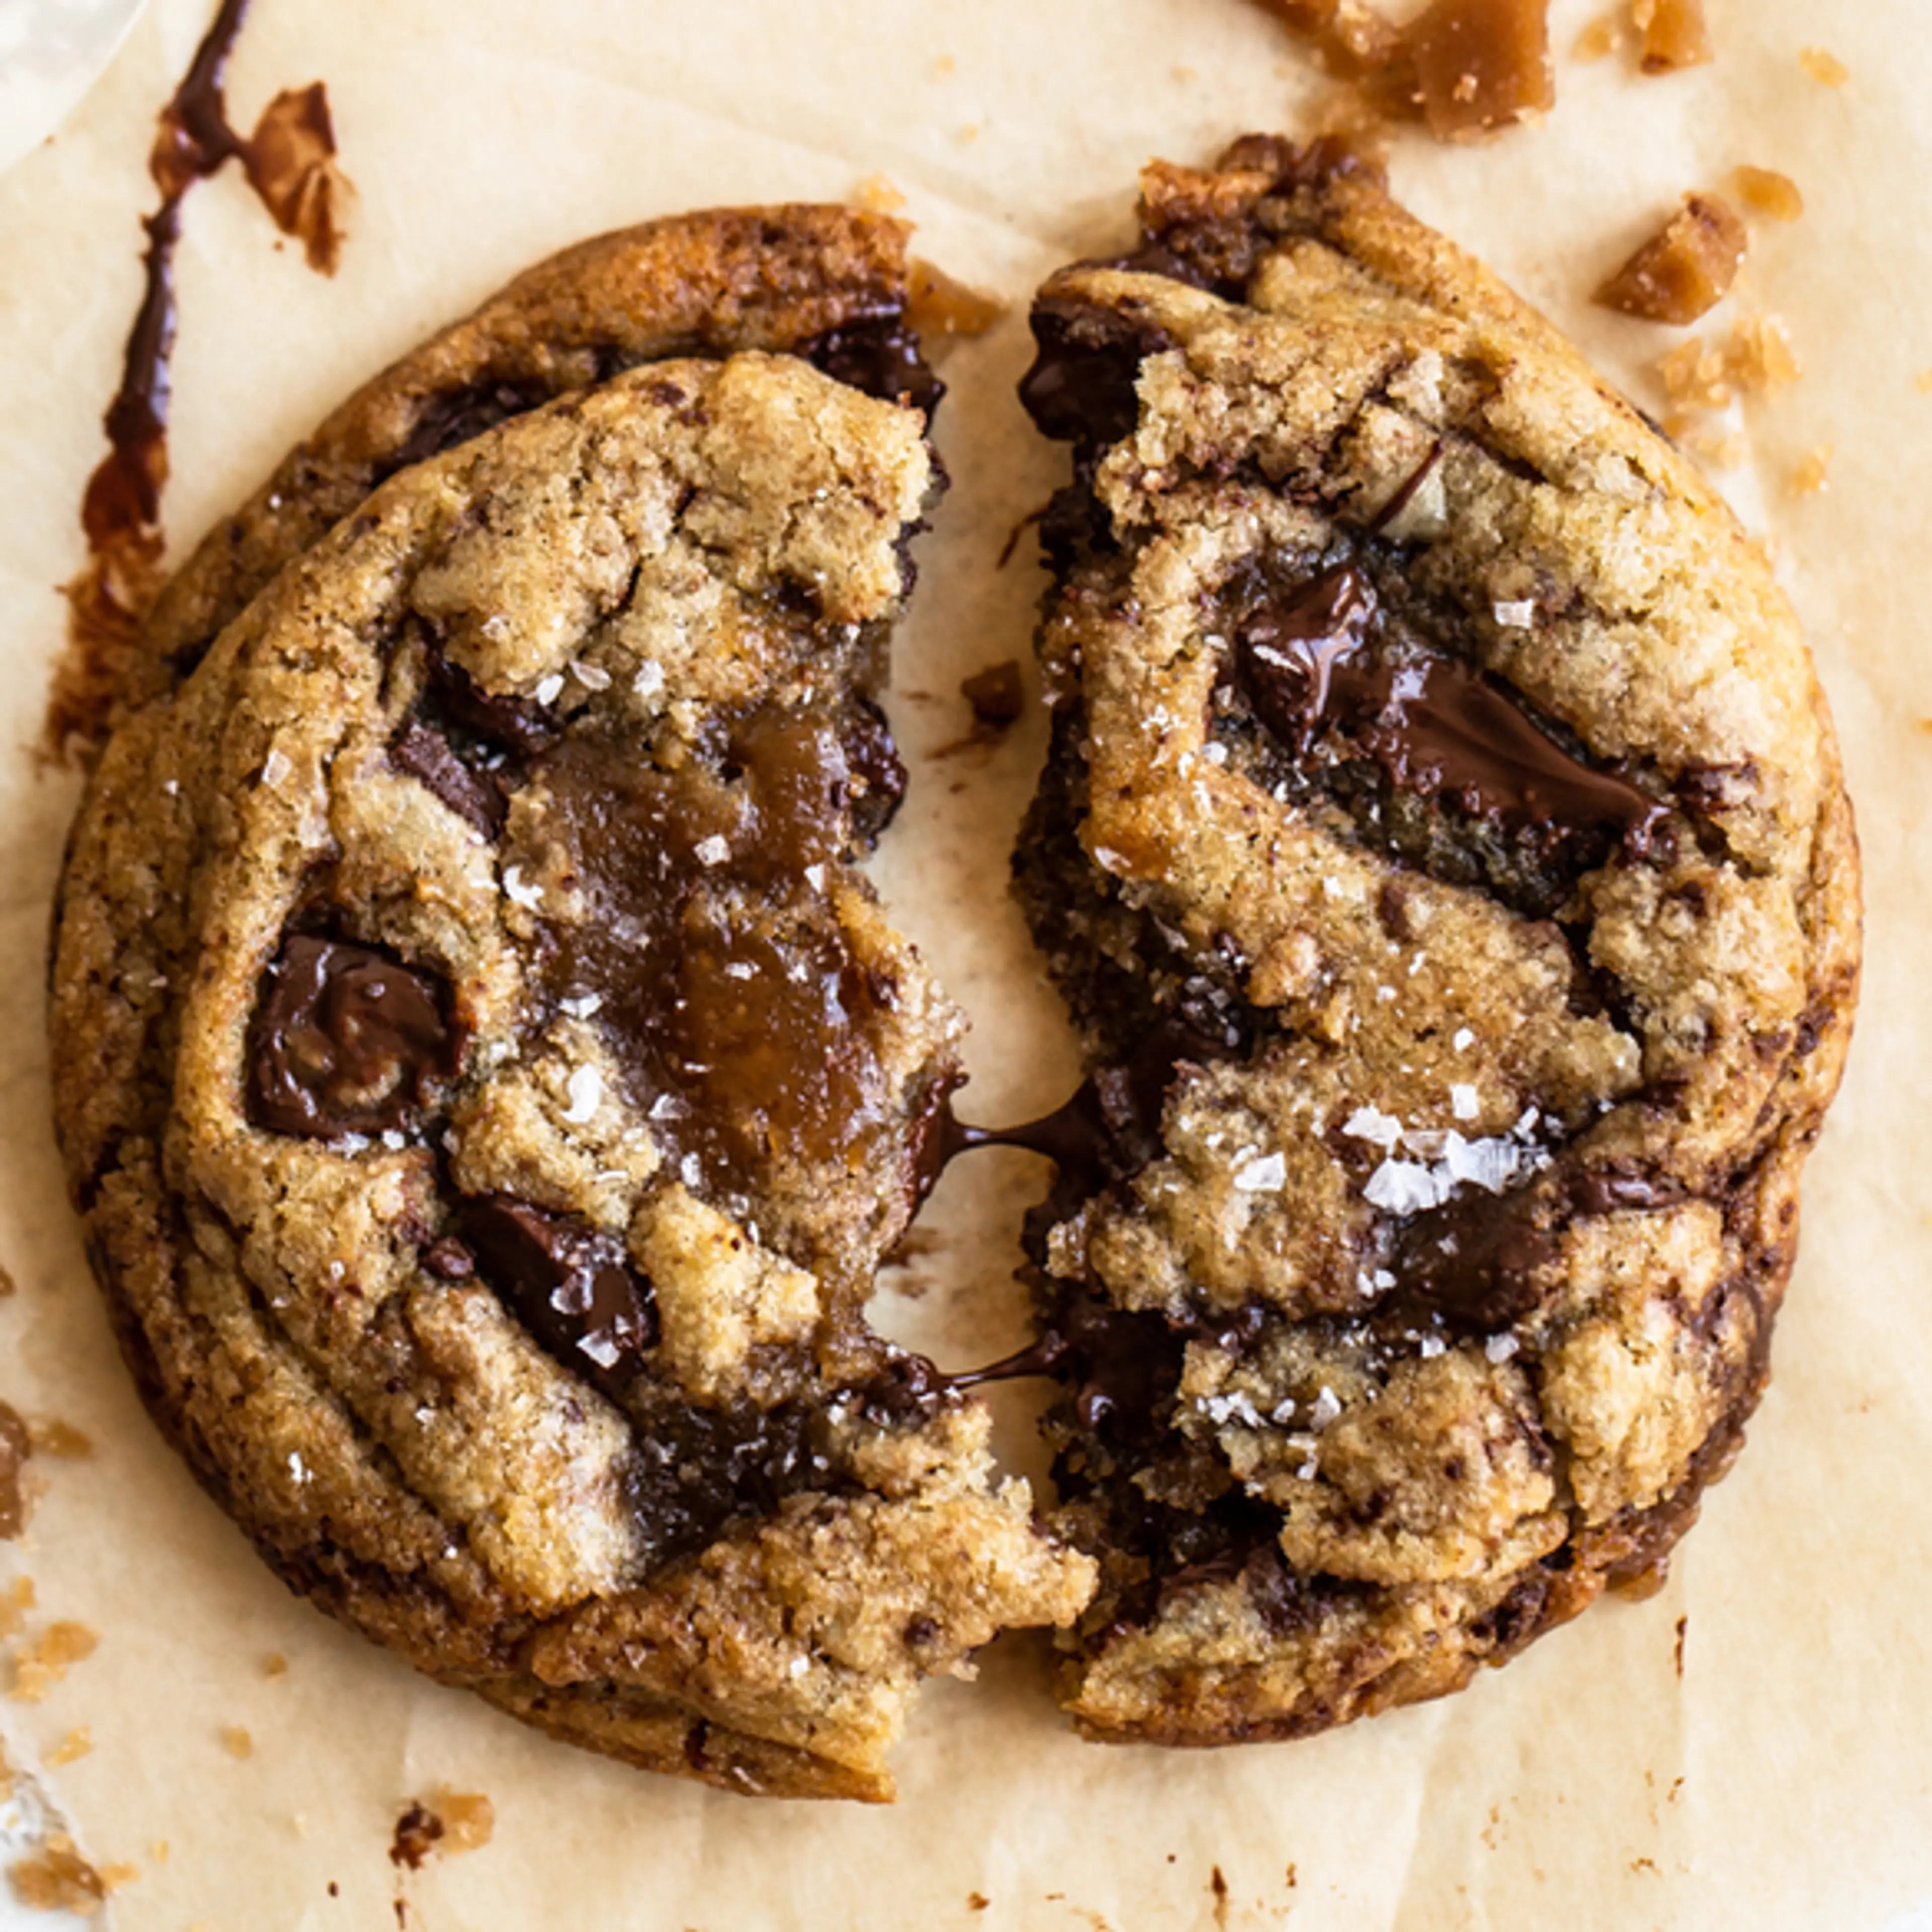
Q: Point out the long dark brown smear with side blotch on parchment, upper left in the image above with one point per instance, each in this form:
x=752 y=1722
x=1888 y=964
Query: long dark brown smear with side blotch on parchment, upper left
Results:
x=291 y=165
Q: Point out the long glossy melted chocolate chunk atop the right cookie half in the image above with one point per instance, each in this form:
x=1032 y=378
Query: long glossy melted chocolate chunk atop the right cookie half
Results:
x=1436 y=727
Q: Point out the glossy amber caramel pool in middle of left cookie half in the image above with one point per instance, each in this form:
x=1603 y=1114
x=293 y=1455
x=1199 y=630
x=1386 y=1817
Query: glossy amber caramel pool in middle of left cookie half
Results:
x=739 y=1015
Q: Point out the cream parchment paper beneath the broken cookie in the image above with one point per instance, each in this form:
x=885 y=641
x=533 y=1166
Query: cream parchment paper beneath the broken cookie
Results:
x=1782 y=1778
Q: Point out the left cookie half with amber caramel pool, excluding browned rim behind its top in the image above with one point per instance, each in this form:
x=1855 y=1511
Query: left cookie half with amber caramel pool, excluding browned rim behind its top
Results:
x=490 y=1085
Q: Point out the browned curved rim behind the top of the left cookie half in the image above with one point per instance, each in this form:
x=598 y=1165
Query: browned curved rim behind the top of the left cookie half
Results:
x=818 y=281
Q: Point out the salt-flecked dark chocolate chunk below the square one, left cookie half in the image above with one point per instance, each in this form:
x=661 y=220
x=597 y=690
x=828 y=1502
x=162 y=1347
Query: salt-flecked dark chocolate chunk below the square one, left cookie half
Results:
x=569 y=1284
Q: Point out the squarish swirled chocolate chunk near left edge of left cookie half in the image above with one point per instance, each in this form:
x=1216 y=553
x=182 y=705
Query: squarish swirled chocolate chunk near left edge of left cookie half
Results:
x=345 y=1040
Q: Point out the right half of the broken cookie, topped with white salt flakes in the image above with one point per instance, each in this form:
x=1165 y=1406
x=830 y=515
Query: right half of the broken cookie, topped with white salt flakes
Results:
x=1446 y=859
